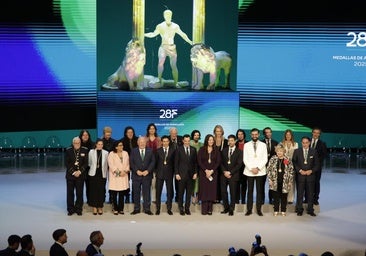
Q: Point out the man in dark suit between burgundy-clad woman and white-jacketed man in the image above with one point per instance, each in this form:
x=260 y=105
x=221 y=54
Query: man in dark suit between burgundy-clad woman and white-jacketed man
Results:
x=231 y=165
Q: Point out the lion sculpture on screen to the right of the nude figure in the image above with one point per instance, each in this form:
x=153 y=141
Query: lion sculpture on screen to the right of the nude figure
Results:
x=205 y=60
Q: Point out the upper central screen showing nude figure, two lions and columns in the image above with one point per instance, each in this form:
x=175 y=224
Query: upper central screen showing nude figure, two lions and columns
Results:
x=162 y=47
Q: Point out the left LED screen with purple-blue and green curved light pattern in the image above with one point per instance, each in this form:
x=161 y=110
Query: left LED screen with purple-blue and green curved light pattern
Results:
x=48 y=60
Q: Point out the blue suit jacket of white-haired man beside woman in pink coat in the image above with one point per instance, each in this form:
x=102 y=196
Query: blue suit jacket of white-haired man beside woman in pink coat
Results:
x=136 y=162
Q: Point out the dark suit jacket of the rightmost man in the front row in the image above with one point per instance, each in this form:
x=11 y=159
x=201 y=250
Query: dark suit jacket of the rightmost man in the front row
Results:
x=312 y=162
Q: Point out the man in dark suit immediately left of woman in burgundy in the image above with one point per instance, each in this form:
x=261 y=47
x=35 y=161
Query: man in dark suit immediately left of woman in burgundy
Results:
x=185 y=169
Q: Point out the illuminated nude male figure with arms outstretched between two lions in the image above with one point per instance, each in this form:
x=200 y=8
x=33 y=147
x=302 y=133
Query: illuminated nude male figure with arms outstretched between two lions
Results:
x=167 y=30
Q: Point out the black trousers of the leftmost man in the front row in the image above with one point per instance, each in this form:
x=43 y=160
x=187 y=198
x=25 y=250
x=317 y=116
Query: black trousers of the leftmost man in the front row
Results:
x=74 y=195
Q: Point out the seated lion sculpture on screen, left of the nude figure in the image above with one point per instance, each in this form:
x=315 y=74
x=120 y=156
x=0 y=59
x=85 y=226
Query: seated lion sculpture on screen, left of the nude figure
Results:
x=128 y=75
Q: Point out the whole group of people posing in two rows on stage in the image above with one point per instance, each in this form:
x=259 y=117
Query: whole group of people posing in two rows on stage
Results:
x=219 y=170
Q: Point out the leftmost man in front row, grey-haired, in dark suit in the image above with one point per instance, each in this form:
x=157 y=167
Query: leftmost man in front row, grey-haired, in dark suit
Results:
x=76 y=161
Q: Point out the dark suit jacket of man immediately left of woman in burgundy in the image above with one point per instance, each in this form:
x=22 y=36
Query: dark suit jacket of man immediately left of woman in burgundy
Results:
x=185 y=166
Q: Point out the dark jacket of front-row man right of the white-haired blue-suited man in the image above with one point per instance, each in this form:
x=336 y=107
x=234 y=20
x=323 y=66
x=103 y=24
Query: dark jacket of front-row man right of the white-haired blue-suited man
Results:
x=164 y=171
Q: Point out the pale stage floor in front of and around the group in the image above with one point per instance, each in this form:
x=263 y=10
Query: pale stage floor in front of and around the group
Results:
x=34 y=202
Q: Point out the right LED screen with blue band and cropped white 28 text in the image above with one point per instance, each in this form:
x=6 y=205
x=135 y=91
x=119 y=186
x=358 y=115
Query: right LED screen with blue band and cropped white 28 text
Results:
x=303 y=63
